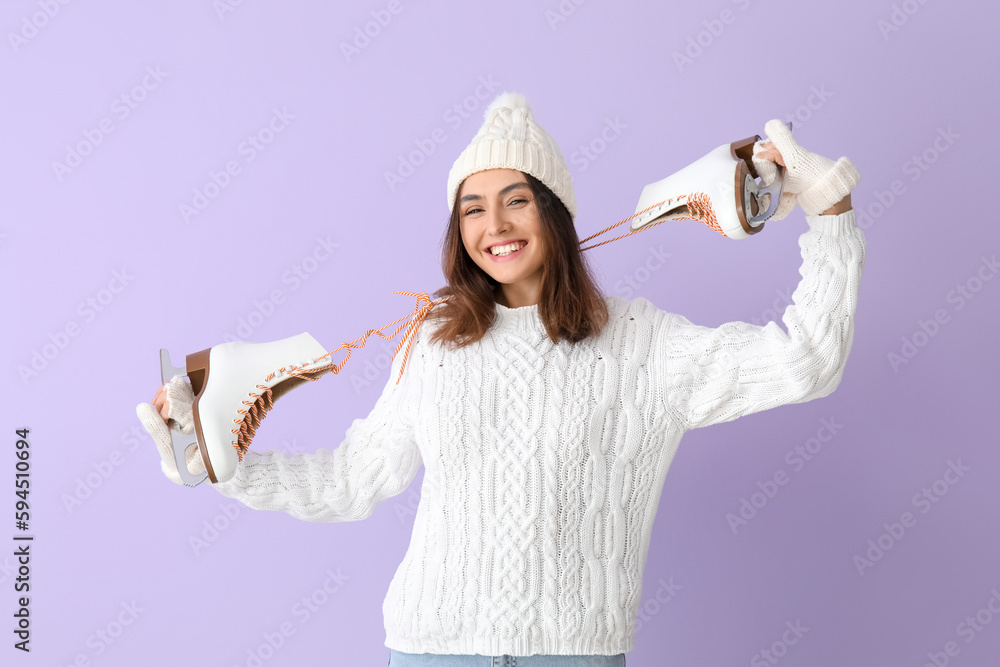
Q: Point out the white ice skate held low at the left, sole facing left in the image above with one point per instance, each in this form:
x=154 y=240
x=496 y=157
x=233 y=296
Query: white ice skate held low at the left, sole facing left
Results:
x=234 y=386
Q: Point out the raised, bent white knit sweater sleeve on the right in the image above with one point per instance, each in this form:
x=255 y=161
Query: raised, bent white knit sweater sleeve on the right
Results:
x=713 y=375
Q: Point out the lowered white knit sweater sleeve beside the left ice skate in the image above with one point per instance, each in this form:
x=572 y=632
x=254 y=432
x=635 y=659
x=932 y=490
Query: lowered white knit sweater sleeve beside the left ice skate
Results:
x=377 y=459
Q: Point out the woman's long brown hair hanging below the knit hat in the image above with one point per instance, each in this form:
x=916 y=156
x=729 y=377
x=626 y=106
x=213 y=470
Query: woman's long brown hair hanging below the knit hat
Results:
x=571 y=307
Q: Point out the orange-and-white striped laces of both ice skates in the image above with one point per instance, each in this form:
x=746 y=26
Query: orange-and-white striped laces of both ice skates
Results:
x=259 y=403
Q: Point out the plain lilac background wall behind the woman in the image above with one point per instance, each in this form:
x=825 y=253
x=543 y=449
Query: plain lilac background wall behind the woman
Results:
x=885 y=95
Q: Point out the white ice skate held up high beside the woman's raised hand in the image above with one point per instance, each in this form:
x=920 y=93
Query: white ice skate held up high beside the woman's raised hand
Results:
x=719 y=190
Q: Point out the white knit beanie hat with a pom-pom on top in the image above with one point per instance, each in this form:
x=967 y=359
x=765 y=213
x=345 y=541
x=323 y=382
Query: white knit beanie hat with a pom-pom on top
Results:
x=511 y=139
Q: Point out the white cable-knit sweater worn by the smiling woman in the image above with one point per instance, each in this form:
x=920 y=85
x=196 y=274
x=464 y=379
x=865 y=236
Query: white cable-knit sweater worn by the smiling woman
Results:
x=544 y=462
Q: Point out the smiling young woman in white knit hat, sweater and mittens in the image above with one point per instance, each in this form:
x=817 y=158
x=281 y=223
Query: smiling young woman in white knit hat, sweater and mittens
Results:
x=546 y=416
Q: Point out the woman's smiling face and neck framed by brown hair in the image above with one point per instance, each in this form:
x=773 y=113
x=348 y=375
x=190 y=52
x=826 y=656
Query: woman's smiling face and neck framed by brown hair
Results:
x=498 y=213
